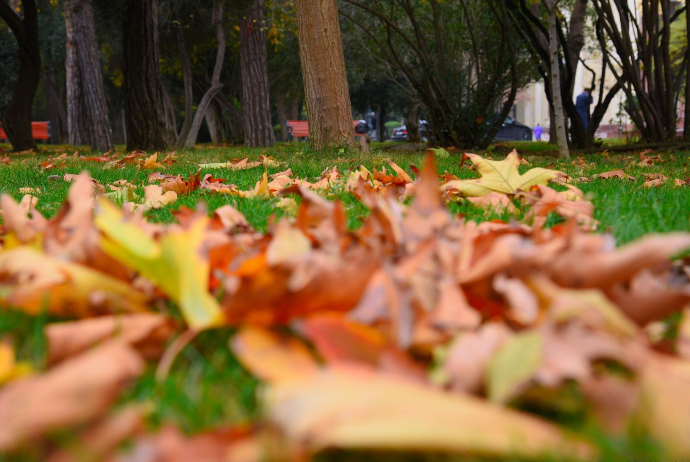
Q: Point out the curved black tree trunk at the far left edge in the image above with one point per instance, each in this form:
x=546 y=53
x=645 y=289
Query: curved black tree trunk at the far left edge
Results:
x=16 y=120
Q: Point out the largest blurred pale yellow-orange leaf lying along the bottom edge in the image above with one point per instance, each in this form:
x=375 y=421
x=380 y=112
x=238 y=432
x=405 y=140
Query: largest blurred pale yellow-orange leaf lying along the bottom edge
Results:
x=356 y=408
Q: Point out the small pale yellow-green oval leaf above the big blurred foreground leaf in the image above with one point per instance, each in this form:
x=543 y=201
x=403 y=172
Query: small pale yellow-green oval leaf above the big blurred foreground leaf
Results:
x=513 y=365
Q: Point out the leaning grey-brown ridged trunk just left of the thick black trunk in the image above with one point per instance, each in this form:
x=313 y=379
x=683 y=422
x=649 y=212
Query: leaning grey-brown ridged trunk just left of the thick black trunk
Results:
x=87 y=109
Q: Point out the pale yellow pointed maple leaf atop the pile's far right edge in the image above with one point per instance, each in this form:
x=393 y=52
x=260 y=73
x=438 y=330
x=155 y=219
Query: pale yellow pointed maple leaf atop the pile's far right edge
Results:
x=500 y=176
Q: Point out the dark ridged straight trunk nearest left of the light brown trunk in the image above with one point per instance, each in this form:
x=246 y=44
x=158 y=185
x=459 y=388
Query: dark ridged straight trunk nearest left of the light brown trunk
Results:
x=256 y=109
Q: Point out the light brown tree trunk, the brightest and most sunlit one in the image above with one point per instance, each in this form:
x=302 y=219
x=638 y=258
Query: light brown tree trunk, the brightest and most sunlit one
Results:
x=323 y=68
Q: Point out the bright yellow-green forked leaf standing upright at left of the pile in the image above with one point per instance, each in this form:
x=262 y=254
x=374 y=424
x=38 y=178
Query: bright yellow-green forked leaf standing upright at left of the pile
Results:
x=174 y=263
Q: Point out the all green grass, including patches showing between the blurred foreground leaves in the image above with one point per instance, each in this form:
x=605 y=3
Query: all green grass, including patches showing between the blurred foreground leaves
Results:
x=206 y=386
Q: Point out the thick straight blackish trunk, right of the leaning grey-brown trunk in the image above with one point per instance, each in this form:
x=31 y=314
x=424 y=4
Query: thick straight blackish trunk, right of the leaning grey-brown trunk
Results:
x=146 y=124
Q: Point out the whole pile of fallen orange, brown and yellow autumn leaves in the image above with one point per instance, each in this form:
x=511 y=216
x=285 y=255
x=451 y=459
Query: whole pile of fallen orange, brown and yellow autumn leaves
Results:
x=419 y=331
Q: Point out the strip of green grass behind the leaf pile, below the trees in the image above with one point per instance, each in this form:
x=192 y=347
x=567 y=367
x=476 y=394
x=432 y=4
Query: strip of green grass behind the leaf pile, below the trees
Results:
x=625 y=208
